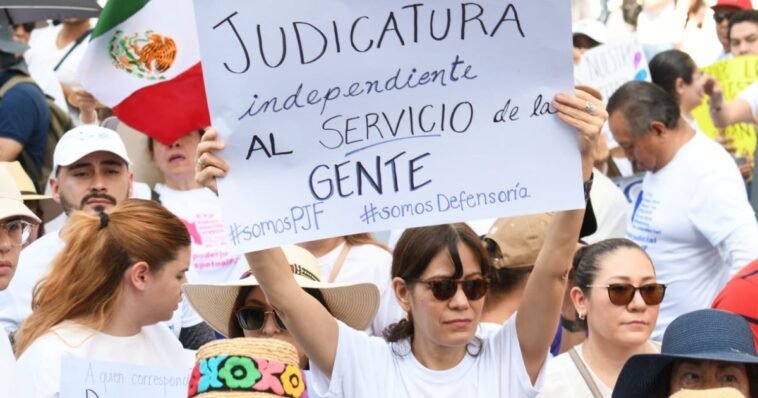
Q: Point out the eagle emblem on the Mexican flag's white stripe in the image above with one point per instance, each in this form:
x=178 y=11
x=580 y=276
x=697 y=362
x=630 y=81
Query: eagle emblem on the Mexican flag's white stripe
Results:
x=146 y=56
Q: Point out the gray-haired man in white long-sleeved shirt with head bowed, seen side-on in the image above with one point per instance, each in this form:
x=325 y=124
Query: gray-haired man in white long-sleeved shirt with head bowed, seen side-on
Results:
x=692 y=215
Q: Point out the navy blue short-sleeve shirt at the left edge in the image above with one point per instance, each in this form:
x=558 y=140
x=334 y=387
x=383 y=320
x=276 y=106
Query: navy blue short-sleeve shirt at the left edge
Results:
x=25 y=117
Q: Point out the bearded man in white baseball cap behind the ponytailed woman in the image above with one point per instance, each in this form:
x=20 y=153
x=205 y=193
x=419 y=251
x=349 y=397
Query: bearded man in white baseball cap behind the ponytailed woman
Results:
x=92 y=174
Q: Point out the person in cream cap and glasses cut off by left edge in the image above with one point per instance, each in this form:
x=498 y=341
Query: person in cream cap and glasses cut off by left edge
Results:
x=16 y=222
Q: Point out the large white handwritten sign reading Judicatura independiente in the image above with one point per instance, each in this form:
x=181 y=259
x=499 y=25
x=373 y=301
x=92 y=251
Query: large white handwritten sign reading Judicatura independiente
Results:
x=347 y=116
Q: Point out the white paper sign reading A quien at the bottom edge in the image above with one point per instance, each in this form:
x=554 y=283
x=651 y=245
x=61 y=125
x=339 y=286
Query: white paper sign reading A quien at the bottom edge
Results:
x=83 y=378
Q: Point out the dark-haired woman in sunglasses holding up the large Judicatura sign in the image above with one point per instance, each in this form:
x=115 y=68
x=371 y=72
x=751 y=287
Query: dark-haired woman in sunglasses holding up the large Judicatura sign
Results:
x=439 y=278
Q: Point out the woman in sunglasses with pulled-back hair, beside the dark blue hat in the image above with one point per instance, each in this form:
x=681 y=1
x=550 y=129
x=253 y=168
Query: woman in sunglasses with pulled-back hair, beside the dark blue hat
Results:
x=617 y=300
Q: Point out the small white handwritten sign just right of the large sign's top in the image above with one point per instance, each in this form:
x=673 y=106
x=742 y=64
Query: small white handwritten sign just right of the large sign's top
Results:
x=607 y=67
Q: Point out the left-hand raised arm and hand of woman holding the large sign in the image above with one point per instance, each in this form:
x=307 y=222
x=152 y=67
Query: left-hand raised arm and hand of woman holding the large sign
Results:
x=307 y=320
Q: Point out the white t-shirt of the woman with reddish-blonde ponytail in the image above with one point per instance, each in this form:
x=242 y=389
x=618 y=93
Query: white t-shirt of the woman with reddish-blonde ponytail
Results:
x=39 y=367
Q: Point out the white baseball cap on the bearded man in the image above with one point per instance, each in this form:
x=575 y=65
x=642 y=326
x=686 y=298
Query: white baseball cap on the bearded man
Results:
x=83 y=140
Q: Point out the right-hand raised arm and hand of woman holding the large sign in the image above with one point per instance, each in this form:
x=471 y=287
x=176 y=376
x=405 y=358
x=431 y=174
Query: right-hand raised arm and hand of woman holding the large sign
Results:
x=540 y=307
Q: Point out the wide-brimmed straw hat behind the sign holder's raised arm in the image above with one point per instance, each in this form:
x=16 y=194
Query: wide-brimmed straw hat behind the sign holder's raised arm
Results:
x=353 y=304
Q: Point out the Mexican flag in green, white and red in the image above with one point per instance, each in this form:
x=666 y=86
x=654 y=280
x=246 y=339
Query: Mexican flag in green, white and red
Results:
x=143 y=61
